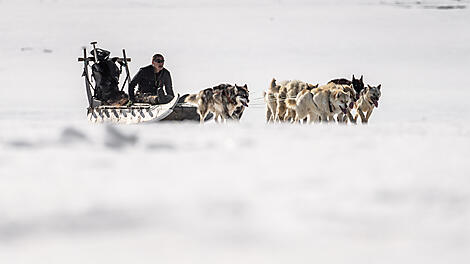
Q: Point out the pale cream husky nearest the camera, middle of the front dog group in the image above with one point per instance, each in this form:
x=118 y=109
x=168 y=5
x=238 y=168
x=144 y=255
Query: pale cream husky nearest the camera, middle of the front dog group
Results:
x=322 y=102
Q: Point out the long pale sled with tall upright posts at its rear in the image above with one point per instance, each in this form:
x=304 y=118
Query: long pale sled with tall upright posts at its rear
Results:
x=99 y=112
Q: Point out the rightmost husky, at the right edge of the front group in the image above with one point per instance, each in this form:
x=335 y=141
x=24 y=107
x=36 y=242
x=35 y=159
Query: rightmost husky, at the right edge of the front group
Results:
x=368 y=99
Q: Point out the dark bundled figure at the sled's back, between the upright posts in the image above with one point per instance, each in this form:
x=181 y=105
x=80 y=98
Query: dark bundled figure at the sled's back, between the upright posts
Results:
x=106 y=75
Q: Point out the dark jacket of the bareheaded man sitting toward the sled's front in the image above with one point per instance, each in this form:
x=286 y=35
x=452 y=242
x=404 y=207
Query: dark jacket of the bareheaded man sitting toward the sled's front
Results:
x=152 y=83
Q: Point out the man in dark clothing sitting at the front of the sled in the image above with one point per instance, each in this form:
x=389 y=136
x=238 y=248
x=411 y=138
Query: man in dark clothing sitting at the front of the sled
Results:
x=151 y=80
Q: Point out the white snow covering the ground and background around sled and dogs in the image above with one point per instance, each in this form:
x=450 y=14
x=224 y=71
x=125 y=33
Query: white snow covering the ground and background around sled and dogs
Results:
x=394 y=191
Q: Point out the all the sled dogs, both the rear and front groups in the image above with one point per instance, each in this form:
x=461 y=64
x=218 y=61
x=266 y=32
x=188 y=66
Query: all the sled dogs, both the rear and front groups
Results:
x=293 y=101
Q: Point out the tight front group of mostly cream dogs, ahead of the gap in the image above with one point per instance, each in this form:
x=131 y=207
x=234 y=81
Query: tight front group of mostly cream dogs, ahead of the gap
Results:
x=297 y=101
